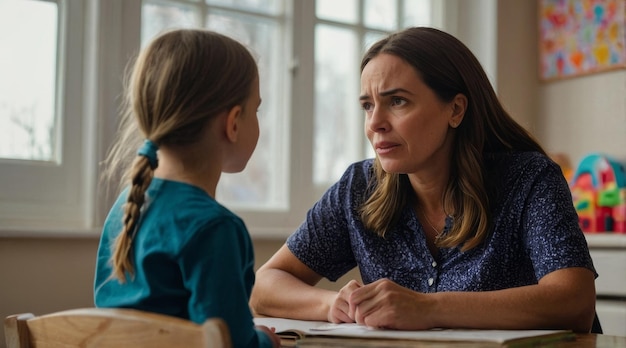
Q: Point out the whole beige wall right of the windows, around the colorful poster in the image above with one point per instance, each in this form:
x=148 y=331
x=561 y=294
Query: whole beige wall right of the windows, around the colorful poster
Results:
x=575 y=116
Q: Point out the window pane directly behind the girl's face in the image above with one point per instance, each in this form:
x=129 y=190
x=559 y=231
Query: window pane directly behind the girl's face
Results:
x=263 y=184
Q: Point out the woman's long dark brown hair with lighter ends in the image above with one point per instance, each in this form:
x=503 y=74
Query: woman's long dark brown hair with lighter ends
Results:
x=448 y=67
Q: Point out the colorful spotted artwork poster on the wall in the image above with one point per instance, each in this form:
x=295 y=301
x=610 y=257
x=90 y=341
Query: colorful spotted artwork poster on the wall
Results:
x=579 y=37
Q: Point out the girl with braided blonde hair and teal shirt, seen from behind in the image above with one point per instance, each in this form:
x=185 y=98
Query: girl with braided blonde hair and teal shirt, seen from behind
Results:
x=167 y=245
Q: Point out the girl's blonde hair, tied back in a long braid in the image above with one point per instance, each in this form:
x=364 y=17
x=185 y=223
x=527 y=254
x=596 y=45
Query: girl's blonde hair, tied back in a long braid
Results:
x=178 y=83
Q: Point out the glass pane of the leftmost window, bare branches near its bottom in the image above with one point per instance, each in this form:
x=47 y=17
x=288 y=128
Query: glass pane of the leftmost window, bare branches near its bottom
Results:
x=28 y=31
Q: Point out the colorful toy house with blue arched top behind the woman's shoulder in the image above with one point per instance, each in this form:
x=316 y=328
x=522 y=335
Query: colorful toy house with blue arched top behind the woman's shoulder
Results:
x=599 y=192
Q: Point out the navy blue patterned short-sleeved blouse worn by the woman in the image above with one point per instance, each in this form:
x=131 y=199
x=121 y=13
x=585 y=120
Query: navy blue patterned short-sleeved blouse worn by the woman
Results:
x=535 y=231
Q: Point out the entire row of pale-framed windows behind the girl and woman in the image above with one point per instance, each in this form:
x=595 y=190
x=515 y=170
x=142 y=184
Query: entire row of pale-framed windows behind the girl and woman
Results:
x=311 y=124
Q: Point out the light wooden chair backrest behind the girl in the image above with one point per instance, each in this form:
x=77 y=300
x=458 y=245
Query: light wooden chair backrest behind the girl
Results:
x=112 y=327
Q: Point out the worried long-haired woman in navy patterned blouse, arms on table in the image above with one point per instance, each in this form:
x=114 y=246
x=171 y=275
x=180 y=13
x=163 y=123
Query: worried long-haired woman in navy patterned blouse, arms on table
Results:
x=461 y=220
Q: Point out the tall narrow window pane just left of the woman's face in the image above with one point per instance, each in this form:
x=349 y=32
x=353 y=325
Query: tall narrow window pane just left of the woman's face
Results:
x=338 y=120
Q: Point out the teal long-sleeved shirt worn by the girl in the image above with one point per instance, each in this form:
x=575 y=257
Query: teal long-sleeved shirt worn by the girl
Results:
x=193 y=259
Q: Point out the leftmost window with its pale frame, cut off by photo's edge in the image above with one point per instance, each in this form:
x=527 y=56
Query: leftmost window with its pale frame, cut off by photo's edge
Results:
x=42 y=153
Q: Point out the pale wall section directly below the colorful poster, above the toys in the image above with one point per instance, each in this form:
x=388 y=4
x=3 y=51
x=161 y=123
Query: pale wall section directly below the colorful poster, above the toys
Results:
x=584 y=114
